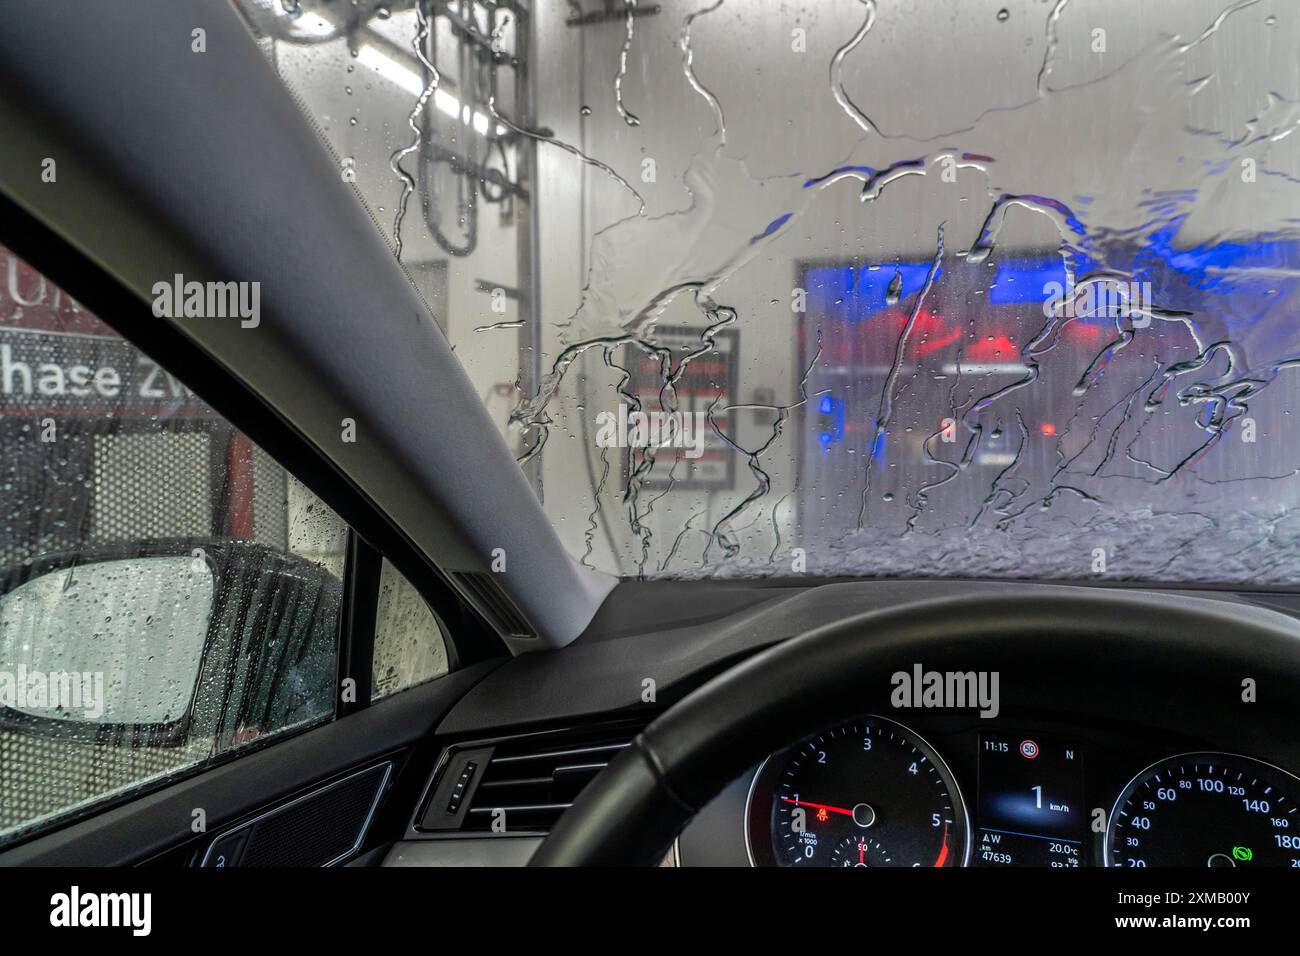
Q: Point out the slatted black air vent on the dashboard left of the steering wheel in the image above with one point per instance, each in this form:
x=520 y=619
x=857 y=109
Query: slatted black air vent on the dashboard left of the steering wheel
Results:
x=530 y=782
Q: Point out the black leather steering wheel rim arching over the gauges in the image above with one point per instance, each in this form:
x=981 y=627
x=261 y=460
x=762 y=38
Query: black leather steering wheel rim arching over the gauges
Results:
x=1178 y=661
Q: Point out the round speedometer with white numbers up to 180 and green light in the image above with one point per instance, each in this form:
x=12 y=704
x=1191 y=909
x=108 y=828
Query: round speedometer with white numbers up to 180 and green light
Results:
x=1207 y=810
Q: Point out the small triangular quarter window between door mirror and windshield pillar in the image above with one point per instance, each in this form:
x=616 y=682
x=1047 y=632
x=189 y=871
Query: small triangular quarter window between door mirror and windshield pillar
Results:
x=409 y=644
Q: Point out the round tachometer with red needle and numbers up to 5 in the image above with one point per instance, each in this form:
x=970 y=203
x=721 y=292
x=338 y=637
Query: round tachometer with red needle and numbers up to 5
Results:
x=868 y=794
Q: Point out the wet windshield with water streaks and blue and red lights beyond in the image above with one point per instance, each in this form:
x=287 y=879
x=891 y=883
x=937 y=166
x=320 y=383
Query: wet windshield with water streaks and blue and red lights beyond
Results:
x=863 y=288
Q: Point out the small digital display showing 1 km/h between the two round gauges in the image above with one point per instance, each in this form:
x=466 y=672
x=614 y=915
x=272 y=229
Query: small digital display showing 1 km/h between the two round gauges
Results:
x=1030 y=810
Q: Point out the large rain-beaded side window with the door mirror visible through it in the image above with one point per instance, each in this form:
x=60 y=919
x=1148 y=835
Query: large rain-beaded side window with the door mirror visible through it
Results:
x=168 y=594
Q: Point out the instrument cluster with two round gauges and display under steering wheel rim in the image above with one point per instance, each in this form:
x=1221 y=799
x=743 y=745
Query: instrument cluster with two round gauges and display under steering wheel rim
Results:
x=935 y=791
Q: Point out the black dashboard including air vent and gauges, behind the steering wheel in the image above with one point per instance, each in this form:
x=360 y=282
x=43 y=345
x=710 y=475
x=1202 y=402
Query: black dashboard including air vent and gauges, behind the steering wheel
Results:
x=1134 y=760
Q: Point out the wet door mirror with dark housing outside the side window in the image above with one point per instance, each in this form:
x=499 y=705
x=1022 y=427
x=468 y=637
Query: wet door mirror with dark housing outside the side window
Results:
x=148 y=641
